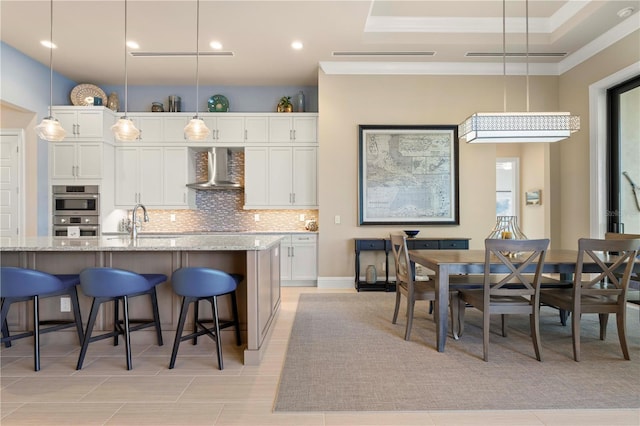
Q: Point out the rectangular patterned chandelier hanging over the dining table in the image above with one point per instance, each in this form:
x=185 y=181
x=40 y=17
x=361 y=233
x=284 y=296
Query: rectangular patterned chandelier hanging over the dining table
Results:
x=517 y=127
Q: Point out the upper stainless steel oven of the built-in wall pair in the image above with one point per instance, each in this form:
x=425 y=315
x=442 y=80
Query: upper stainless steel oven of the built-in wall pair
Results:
x=76 y=200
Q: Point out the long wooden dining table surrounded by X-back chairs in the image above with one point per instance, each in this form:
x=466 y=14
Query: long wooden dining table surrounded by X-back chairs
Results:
x=451 y=263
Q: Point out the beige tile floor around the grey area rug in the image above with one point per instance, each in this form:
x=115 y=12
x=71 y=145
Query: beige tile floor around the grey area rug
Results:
x=197 y=393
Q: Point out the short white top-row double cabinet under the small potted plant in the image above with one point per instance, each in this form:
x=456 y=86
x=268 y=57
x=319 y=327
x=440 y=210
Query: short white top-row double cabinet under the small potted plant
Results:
x=287 y=128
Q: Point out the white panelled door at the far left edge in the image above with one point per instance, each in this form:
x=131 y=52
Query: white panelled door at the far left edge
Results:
x=11 y=147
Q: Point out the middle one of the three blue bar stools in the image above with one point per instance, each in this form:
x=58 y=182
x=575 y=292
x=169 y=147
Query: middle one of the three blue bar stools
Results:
x=110 y=284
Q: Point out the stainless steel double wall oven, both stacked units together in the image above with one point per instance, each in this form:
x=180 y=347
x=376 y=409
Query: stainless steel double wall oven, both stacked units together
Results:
x=76 y=209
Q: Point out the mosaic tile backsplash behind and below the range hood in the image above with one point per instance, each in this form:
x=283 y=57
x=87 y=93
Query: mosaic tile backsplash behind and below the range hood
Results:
x=221 y=209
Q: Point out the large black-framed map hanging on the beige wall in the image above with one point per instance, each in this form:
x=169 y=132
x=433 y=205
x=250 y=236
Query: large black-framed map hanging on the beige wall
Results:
x=408 y=175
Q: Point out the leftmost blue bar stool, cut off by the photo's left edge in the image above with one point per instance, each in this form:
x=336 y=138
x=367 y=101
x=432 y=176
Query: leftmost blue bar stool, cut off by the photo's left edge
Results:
x=20 y=285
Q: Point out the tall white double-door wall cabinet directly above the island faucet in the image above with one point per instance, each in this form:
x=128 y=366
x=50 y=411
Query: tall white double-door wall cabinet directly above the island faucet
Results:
x=139 y=176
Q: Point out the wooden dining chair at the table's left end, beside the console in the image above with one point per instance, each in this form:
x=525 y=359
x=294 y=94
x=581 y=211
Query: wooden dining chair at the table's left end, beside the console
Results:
x=413 y=290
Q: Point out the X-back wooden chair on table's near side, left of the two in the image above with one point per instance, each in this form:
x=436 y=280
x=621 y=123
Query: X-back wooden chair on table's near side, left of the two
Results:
x=514 y=292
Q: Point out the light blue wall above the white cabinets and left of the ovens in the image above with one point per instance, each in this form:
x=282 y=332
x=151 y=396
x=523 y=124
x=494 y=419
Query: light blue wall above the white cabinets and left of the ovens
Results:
x=24 y=83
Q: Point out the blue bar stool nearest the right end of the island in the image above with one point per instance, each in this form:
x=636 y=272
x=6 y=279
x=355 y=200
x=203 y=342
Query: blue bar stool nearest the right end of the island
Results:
x=195 y=284
